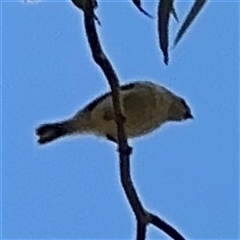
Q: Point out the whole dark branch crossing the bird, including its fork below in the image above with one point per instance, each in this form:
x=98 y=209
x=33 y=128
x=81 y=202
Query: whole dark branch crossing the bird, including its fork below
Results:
x=142 y=216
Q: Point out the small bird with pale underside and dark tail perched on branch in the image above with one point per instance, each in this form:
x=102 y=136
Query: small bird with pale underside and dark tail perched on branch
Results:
x=146 y=106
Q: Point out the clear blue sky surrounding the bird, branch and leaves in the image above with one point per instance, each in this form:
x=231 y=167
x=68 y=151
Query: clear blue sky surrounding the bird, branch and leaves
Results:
x=185 y=172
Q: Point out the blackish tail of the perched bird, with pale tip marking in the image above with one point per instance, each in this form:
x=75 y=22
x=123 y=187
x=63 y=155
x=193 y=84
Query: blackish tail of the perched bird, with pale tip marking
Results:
x=50 y=132
